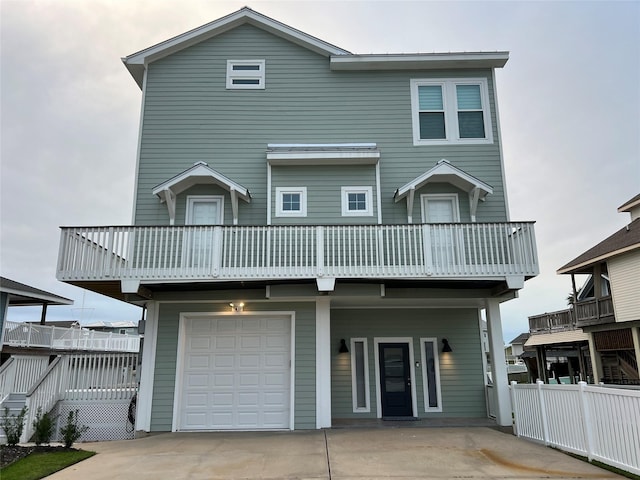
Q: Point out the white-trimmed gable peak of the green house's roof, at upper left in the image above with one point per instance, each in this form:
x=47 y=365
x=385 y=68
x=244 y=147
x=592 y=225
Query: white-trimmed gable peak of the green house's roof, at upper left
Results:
x=137 y=62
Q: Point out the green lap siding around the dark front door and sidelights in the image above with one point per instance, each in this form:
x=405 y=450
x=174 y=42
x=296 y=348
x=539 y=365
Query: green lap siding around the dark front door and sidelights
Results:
x=461 y=371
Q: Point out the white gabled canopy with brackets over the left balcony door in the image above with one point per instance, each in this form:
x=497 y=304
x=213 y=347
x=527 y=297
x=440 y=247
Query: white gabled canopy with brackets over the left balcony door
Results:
x=199 y=174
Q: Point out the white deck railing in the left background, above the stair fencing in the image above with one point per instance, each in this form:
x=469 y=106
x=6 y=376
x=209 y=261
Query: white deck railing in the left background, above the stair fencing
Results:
x=17 y=334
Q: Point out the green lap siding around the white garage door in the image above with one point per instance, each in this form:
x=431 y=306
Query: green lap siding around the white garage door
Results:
x=167 y=347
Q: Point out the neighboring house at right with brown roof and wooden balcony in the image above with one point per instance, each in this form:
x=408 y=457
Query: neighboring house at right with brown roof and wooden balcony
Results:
x=597 y=339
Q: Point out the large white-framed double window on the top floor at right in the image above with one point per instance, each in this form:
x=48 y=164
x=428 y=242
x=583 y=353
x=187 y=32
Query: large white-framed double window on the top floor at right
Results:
x=450 y=111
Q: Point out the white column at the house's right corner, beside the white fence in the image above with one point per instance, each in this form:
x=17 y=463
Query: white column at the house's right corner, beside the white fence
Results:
x=498 y=363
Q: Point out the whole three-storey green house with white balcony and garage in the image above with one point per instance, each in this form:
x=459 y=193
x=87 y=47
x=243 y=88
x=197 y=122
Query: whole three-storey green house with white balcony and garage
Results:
x=315 y=232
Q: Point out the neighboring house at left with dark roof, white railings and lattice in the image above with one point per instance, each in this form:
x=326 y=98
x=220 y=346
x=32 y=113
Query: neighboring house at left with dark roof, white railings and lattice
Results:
x=59 y=367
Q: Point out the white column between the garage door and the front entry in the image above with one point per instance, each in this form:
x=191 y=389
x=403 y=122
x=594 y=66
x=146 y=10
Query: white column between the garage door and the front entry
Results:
x=323 y=362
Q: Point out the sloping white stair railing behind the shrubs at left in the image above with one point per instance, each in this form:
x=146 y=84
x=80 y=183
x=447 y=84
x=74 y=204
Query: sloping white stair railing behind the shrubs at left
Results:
x=45 y=393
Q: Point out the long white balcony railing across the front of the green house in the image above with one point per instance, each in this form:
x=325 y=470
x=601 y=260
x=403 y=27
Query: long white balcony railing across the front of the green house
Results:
x=188 y=253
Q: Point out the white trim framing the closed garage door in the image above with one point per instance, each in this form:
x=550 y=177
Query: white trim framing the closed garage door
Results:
x=184 y=316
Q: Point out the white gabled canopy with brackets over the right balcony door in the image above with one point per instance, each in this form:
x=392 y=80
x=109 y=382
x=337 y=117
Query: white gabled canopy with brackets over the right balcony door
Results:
x=444 y=172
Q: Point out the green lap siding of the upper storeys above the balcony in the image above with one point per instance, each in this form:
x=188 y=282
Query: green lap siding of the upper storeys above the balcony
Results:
x=190 y=116
